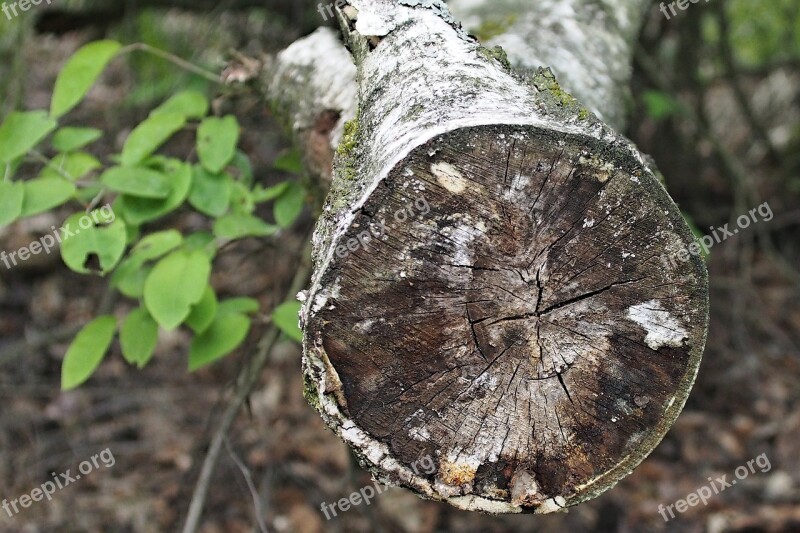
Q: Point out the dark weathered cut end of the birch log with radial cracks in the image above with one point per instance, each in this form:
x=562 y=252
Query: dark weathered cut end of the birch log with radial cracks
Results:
x=500 y=326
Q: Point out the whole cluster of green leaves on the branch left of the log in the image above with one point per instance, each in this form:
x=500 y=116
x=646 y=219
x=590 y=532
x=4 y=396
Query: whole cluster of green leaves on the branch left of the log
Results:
x=166 y=272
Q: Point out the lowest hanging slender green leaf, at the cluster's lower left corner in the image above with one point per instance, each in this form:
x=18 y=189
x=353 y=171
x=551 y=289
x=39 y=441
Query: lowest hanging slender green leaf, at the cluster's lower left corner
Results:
x=87 y=351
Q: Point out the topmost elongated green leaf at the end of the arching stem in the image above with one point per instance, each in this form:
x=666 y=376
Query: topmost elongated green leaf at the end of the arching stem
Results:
x=79 y=74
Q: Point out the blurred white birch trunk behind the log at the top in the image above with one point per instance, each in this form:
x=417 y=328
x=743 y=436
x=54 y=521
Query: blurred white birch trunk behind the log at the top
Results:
x=587 y=44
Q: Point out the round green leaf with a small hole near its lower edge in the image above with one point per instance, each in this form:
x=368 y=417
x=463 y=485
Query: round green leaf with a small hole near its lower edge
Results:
x=99 y=234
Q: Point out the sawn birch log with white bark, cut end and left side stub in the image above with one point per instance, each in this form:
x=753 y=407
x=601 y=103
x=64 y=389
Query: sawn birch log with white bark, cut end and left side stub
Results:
x=494 y=319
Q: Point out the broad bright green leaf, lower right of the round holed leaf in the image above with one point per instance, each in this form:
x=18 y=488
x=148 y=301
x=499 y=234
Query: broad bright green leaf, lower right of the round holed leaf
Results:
x=176 y=284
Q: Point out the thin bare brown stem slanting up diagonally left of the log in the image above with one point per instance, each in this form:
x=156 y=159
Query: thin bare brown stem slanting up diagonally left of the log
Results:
x=248 y=379
